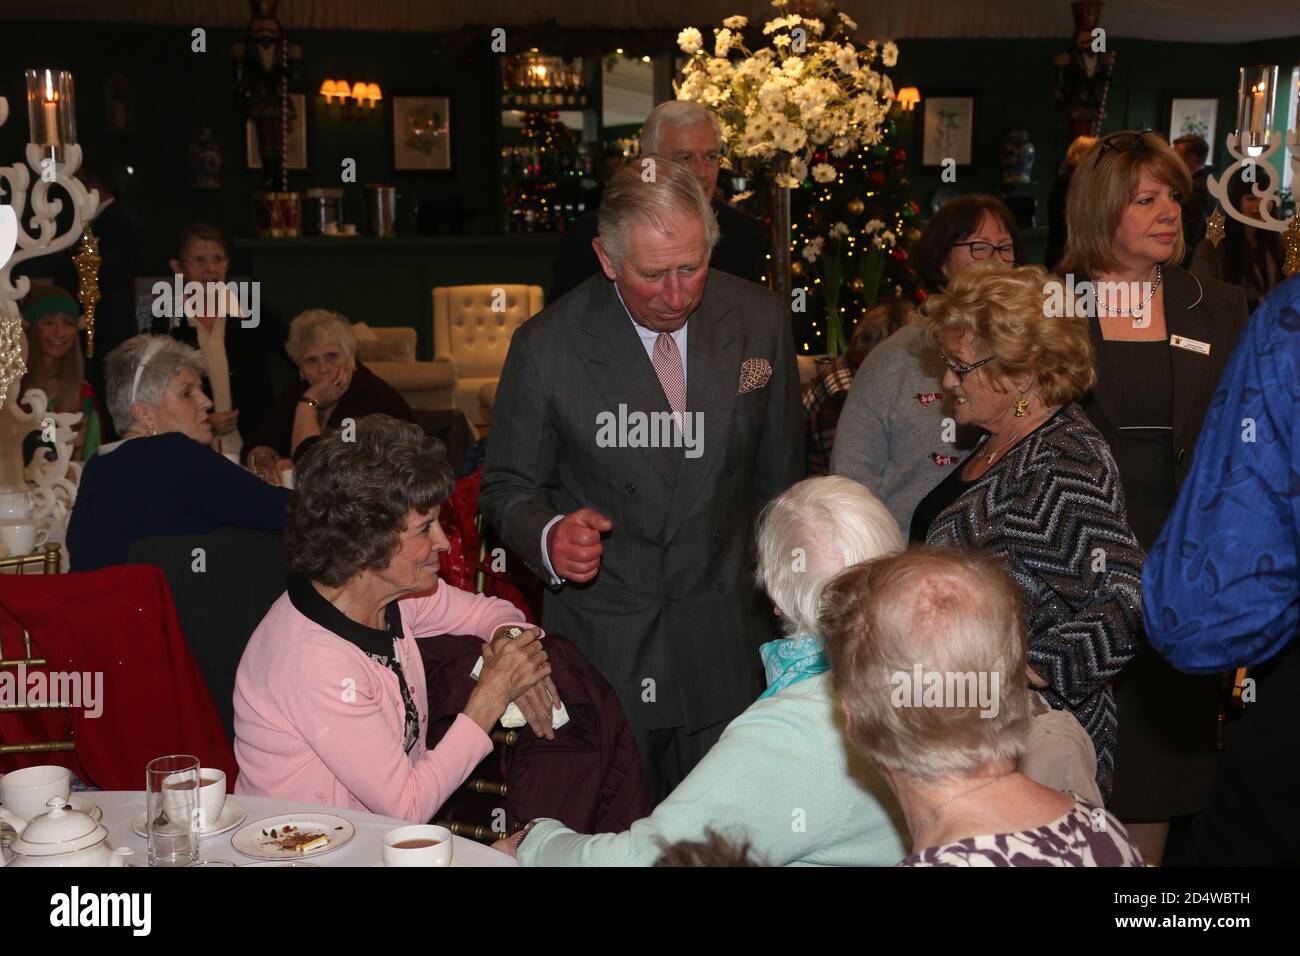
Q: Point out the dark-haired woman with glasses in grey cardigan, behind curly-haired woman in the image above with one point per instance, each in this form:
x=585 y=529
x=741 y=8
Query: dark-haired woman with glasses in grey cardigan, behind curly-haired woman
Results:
x=891 y=435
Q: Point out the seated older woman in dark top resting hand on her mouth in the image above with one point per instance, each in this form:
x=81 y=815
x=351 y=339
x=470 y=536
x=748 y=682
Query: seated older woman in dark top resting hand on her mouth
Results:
x=332 y=387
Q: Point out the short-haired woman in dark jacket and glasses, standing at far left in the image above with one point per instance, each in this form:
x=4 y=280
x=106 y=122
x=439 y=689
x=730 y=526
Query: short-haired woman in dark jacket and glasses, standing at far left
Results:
x=239 y=358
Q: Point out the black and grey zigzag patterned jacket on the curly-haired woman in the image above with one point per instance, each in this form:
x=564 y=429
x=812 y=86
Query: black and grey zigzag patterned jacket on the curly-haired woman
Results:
x=1054 y=509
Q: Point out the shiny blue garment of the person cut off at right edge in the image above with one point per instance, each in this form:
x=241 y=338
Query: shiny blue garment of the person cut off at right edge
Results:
x=1223 y=585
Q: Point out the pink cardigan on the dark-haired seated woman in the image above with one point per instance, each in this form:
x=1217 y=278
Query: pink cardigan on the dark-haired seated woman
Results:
x=318 y=721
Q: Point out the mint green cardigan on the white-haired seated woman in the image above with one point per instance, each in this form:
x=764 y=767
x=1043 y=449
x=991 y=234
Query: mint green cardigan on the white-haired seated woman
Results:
x=781 y=777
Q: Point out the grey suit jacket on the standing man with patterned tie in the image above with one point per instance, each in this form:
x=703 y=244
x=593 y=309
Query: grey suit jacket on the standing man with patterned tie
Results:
x=673 y=620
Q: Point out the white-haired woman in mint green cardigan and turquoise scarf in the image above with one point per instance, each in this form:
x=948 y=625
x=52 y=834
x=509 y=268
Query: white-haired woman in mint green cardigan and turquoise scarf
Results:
x=781 y=777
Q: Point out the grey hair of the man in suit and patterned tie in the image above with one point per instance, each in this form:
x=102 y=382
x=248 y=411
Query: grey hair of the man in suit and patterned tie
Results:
x=653 y=191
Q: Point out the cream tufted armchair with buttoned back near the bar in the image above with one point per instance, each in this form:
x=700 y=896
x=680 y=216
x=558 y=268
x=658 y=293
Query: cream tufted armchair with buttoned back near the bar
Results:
x=474 y=338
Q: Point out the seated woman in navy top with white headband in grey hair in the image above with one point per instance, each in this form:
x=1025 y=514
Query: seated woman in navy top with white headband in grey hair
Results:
x=163 y=478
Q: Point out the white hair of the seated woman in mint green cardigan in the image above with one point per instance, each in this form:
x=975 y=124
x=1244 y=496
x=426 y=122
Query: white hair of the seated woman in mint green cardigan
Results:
x=811 y=534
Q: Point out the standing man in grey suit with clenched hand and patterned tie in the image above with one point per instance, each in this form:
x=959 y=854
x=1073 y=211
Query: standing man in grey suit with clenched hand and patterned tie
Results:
x=642 y=423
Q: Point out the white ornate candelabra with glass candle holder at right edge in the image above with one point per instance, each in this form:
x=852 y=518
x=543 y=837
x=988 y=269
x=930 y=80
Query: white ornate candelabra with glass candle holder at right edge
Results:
x=1255 y=114
